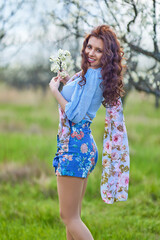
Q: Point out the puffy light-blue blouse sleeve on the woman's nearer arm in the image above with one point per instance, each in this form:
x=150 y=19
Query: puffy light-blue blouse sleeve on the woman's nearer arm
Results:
x=82 y=96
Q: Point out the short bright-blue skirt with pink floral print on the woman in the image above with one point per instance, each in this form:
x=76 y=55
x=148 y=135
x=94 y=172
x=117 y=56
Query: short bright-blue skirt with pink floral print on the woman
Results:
x=82 y=155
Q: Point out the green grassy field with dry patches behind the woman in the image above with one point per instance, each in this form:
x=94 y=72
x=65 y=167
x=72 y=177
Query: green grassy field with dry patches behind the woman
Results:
x=29 y=206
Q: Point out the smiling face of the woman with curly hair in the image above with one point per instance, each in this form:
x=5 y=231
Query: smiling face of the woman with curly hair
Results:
x=94 y=51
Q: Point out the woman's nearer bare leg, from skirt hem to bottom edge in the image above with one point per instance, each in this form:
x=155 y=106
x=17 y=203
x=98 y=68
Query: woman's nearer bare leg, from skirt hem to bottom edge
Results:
x=70 y=192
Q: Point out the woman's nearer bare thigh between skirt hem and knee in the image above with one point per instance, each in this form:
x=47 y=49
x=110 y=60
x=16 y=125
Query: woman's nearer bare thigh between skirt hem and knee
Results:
x=70 y=190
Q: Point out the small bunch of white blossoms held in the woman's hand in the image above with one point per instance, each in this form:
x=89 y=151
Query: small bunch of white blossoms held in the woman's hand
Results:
x=59 y=64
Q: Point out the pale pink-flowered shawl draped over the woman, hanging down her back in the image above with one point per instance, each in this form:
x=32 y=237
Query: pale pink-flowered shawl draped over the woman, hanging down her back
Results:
x=115 y=158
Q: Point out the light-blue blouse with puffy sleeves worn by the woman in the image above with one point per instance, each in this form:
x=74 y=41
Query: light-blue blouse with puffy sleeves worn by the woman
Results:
x=84 y=99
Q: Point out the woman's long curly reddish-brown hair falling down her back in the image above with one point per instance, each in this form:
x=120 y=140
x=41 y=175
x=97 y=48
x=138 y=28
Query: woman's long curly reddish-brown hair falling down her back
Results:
x=111 y=63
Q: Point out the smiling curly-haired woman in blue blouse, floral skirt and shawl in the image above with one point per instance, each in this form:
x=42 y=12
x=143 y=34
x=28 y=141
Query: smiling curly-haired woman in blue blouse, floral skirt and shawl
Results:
x=100 y=81
